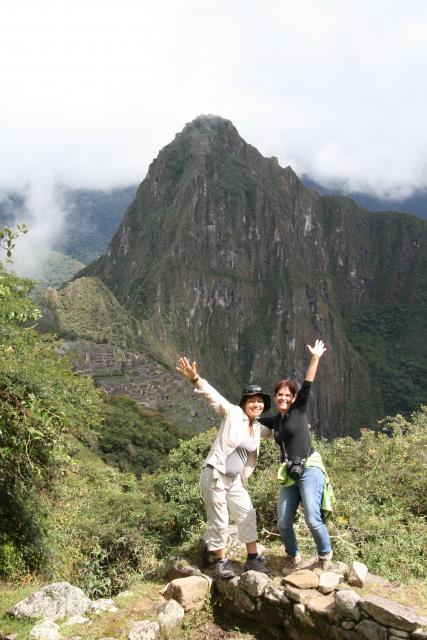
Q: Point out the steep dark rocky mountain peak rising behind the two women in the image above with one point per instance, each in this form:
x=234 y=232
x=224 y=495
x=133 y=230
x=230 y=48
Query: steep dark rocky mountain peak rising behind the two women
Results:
x=226 y=256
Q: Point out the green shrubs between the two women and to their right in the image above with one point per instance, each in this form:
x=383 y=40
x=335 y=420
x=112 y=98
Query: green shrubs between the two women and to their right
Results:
x=380 y=482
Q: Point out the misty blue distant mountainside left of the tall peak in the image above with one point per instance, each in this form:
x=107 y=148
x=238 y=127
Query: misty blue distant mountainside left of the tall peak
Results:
x=68 y=228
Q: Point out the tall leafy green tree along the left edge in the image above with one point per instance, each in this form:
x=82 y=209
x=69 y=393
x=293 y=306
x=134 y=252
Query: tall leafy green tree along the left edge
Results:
x=41 y=400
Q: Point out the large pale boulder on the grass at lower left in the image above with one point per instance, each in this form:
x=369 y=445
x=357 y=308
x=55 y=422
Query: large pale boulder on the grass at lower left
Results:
x=56 y=600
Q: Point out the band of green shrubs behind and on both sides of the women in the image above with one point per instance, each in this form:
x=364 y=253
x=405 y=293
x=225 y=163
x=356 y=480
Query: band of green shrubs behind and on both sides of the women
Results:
x=124 y=525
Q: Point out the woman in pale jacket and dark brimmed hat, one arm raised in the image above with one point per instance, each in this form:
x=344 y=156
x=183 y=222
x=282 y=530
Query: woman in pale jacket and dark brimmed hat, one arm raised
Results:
x=231 y=460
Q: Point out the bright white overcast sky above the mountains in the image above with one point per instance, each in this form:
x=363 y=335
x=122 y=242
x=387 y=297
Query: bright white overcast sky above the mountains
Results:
x=91 y=90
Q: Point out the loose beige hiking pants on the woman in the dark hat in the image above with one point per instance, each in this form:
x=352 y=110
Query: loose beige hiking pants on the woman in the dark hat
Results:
x=224 y=496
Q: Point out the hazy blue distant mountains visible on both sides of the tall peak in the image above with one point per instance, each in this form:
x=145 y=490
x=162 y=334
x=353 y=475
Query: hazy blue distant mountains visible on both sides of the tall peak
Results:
x=90 y=217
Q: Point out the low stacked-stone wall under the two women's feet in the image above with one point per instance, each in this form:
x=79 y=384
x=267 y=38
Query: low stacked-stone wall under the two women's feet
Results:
x=307 y=604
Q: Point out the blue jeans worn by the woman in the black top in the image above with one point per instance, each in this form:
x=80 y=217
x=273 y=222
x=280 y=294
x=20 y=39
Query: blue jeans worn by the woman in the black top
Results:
x=308 y=490
